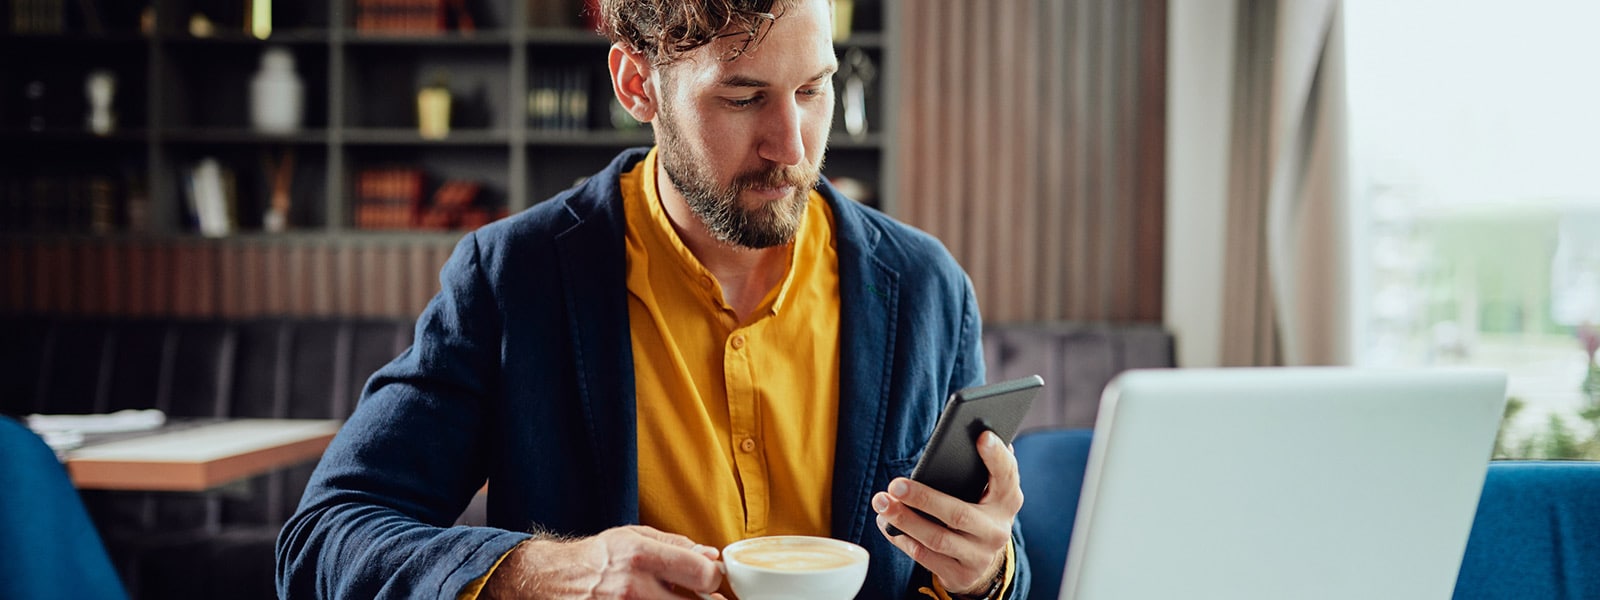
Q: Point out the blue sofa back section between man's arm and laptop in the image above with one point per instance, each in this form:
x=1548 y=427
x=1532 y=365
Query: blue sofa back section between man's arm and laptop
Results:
x=1052 y=465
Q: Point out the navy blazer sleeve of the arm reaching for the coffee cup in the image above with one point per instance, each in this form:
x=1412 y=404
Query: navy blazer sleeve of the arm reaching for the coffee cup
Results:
x=377 y=516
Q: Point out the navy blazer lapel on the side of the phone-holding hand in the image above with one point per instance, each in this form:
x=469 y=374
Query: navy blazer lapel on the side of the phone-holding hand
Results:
x=868 y=314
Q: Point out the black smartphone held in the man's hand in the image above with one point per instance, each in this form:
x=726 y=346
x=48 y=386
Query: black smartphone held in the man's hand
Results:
x=950 y=463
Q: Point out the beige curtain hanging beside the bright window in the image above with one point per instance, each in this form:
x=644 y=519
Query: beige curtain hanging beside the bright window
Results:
x=1287 y=274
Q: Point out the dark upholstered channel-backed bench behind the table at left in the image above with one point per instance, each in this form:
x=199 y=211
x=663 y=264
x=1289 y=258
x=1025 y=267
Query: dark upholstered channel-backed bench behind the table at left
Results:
x=217 y=543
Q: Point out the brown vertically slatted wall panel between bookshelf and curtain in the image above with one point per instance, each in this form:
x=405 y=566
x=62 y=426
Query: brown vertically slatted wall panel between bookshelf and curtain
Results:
x=1031 y=142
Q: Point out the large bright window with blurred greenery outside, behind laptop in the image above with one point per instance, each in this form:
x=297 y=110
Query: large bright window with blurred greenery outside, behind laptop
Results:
x=1476 y=193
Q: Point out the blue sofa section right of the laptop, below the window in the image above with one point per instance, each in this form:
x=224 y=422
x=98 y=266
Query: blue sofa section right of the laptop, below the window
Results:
x=1537 y=534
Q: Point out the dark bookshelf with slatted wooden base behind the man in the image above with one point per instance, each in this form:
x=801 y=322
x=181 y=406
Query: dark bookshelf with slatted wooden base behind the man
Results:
x=103 y=225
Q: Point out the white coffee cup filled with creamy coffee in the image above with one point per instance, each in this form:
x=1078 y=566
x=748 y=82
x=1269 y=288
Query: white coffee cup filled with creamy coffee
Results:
x=794 y=569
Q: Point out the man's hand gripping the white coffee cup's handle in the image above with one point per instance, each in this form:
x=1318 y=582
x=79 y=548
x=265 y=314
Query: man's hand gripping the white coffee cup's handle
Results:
x=626 y=562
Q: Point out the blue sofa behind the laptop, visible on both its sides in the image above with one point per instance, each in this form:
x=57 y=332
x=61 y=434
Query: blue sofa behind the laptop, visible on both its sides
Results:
x=1537 y=534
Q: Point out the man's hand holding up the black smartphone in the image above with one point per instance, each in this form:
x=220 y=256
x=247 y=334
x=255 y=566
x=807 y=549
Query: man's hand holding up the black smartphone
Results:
x=969 y=551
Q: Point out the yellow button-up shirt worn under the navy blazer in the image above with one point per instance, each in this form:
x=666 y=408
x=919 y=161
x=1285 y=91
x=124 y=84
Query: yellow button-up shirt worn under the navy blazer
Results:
x=737 y=422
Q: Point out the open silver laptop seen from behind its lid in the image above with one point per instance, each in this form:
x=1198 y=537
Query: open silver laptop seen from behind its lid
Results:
x=1282 y=484
